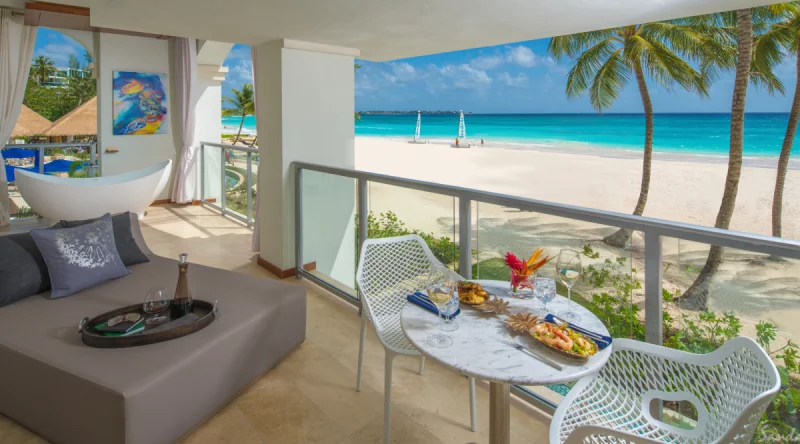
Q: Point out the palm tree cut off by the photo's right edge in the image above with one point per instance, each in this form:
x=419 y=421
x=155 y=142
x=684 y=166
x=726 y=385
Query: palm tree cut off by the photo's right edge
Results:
x=783 y=35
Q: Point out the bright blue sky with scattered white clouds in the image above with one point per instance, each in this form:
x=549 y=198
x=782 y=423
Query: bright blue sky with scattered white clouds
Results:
x=514 y=78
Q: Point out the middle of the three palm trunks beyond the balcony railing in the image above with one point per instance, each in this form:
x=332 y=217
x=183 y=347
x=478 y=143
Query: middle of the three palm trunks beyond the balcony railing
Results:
x=696 y=297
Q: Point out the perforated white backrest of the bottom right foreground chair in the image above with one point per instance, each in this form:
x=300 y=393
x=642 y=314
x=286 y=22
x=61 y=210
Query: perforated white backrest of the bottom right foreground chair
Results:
x=730 y=387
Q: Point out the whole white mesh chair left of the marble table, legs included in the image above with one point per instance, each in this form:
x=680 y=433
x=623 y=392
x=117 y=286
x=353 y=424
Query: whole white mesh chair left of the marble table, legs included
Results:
x=389 y=270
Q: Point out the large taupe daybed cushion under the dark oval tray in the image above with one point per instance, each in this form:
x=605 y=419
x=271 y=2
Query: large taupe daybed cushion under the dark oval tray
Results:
x=56 y=386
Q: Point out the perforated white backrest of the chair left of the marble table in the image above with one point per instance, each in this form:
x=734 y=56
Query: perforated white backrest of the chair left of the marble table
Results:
x=390 y=269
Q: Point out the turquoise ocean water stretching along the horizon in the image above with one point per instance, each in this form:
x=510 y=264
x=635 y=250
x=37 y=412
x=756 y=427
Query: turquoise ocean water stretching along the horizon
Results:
x=673 y=133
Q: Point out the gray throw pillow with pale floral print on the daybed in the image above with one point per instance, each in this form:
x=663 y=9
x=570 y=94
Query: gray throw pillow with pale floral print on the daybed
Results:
x=80 y=257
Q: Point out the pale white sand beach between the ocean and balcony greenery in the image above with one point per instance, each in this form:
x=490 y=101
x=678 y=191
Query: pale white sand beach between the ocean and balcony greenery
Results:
x=683 y=188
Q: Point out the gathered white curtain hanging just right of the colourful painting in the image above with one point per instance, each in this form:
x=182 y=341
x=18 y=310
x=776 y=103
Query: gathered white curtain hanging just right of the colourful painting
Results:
x=185 y=184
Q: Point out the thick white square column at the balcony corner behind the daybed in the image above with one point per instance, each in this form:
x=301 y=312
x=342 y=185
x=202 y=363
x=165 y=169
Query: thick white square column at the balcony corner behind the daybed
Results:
x=305 y=113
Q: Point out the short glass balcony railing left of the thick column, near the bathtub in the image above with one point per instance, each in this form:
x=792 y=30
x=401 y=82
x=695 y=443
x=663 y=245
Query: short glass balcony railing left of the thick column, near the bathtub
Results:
x=228 y=179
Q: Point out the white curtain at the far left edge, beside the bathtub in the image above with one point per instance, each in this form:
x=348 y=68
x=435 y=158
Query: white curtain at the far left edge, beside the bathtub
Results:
x=16 y=54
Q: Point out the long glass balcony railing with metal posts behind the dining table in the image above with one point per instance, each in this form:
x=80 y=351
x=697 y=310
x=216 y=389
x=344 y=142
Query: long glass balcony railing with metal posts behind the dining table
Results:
x=633 y=289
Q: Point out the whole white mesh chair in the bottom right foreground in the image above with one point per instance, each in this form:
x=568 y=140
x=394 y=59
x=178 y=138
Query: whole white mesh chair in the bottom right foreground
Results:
x=730 y=388
